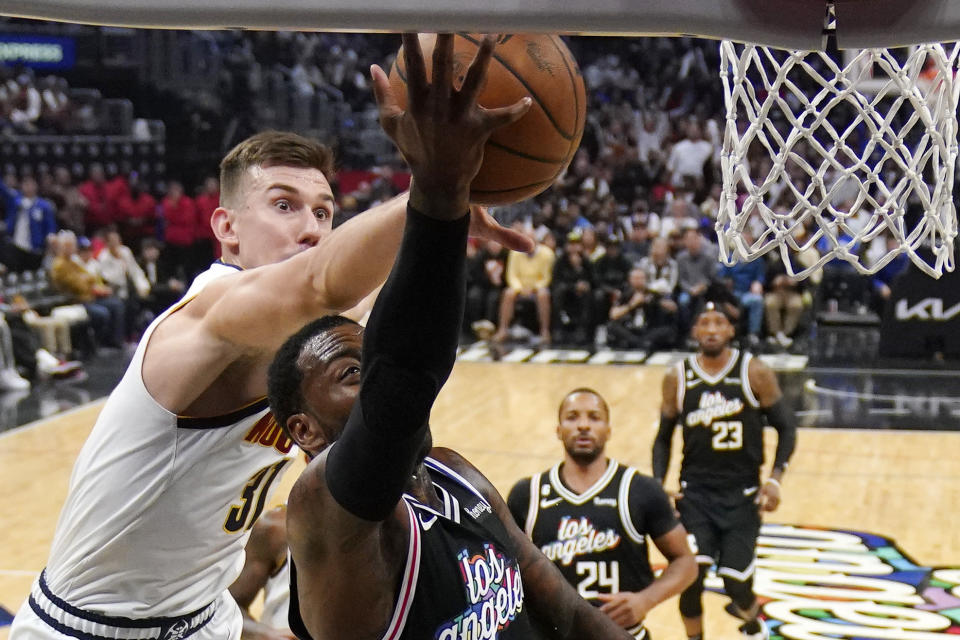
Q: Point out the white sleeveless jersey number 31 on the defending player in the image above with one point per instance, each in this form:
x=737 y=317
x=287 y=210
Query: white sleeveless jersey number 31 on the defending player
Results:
x=160 y=506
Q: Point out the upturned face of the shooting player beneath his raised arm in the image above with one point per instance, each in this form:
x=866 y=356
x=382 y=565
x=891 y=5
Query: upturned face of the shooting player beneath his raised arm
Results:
x=331 y=382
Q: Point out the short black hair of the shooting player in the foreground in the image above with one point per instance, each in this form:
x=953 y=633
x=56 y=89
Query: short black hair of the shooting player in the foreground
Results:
x=284 y=376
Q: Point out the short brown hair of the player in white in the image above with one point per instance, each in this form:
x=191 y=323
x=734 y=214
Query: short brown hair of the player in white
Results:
x=272 y=148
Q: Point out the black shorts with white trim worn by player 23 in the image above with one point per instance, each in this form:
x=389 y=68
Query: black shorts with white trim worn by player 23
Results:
x=724 y=526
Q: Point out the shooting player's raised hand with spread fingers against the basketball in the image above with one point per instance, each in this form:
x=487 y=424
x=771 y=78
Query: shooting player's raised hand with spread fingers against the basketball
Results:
x=442 y=133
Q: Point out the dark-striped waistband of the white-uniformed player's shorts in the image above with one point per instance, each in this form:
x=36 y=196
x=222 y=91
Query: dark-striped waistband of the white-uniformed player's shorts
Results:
x=87 y=625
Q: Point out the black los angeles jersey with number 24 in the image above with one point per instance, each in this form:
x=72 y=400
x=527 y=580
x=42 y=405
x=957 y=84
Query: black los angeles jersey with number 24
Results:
x=597 y=538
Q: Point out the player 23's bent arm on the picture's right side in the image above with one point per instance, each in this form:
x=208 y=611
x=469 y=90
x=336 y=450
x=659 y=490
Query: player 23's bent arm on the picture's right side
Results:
x=763 y=382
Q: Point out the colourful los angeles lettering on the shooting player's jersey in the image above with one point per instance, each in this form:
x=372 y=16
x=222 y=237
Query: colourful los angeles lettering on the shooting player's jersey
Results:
x=495 y=594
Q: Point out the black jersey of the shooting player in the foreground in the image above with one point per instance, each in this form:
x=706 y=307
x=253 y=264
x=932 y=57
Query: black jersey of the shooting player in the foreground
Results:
x=461 y=578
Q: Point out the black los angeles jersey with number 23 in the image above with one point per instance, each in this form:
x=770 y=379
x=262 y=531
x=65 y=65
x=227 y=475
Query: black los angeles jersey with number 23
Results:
x=722 y=425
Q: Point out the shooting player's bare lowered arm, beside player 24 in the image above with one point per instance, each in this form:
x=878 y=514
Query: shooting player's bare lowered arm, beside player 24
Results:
x=555 y=605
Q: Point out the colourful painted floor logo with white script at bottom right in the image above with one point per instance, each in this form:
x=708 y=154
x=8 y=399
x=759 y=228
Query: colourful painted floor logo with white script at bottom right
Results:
x=822 y=583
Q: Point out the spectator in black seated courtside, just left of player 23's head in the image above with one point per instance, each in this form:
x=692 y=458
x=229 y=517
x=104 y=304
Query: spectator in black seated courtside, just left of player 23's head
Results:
x=641 y=318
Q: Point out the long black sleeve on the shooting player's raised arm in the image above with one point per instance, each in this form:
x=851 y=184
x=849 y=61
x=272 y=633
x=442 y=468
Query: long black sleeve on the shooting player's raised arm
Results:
x=409 y=349
